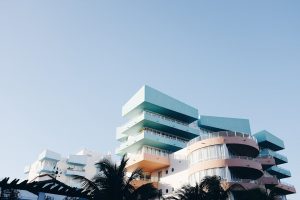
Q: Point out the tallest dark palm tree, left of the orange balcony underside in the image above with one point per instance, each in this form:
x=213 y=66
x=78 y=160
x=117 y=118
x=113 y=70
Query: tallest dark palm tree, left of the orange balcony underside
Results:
x=112 y=183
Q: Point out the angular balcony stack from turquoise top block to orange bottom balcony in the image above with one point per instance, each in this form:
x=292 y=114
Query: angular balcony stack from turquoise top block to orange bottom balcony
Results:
x=156 y=121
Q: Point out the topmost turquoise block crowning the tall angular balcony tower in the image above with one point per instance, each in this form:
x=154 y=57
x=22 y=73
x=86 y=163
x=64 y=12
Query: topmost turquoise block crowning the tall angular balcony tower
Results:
x=153 y=100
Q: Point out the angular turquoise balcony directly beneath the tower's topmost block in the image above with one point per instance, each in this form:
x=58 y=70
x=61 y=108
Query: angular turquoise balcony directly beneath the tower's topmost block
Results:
x=160 y=123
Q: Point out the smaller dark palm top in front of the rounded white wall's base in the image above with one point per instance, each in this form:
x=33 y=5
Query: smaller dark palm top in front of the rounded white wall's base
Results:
x=208 y=189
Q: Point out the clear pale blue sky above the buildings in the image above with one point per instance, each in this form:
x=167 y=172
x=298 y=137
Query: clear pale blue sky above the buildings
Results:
x=67 y=67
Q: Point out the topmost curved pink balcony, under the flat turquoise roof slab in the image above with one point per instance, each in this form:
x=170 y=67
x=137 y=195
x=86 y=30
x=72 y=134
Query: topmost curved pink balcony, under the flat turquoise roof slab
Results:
x=243 y=143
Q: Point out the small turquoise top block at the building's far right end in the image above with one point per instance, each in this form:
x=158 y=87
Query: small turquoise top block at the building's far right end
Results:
x=269 y=141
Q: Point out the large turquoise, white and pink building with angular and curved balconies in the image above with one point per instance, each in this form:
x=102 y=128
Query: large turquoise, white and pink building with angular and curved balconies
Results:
x=175 y=146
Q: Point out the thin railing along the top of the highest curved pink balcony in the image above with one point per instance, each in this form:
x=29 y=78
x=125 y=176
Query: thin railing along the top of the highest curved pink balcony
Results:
x=209 y=135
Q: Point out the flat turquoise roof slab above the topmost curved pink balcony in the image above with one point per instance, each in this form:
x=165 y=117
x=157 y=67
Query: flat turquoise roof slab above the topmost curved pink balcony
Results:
x=225 y=123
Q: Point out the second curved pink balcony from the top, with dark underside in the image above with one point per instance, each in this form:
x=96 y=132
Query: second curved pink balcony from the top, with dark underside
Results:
x=243 y=167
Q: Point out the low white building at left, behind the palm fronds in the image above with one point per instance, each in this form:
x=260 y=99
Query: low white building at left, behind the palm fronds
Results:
x=52 y=164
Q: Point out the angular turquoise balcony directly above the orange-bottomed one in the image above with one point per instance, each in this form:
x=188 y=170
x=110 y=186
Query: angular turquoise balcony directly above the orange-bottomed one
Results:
x=151 y=138
